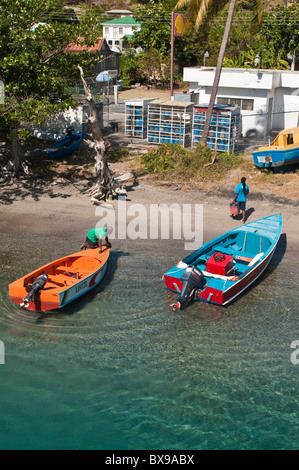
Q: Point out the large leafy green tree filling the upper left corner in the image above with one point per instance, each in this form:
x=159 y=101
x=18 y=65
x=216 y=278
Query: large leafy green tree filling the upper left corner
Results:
x=36 y=69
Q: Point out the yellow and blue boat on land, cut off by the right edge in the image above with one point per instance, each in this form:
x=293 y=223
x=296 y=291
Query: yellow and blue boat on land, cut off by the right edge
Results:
x=284 y=150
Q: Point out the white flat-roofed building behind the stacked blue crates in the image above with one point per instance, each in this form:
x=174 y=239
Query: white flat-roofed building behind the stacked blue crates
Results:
x=269 y=99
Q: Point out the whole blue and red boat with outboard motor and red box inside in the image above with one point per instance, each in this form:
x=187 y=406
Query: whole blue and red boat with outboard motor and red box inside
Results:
x=223 y=268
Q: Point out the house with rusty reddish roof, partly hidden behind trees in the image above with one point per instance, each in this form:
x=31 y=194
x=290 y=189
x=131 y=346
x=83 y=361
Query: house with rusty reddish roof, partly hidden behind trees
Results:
x=108 y=59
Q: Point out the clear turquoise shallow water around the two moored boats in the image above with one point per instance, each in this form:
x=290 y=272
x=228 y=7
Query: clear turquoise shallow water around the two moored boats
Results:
x=119 y=369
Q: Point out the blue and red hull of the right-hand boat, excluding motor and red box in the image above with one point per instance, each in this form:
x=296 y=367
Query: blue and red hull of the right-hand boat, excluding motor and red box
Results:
x=221 y=290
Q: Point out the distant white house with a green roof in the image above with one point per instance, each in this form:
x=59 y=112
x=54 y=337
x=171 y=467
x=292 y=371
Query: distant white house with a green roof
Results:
x=115 y=30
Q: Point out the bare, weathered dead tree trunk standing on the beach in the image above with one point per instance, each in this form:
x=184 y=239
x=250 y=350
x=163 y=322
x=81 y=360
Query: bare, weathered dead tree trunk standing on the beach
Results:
x=105 y=187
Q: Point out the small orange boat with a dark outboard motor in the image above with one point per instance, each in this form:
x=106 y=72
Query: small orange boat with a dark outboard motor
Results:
x=60 y=282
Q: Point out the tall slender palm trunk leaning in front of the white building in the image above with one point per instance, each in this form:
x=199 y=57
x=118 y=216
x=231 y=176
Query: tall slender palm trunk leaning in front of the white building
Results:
x=218 y=71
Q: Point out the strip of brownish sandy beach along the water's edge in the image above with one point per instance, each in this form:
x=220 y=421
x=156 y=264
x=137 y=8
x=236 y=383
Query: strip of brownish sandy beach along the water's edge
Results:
x=67 y=214
